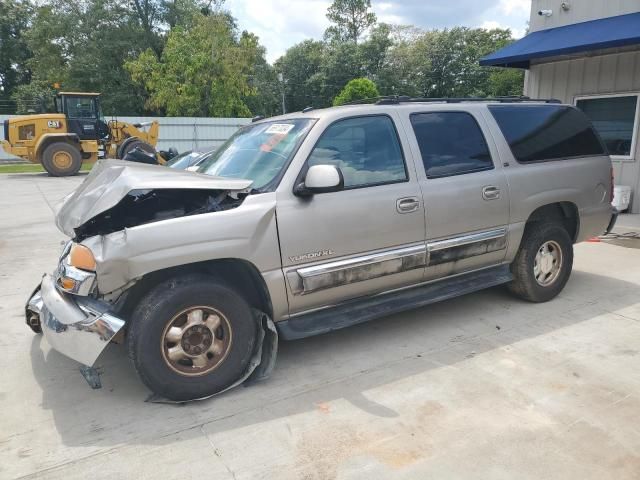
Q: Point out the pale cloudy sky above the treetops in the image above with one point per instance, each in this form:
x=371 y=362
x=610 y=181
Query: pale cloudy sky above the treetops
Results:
x=283 y=23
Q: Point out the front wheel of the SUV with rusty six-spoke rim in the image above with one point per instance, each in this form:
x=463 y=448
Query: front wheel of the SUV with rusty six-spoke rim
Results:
x=167 y=305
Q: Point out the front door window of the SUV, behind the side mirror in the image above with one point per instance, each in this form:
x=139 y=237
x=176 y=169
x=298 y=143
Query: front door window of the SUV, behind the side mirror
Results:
x=366 y=149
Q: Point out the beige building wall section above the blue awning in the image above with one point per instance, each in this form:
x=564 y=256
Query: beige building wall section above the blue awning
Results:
x=579 y=11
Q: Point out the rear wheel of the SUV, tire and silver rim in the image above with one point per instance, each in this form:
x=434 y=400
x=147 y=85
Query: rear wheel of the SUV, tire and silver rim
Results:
x=552 y=241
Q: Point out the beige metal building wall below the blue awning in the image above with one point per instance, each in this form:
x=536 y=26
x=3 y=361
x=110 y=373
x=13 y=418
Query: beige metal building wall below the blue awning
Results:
x=614 y=73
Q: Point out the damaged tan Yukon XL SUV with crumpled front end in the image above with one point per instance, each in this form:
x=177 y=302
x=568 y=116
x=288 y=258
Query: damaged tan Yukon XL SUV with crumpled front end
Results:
x=314 y=221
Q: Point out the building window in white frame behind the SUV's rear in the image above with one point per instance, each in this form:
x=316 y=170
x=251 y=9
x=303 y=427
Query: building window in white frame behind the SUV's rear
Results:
x=614 y=119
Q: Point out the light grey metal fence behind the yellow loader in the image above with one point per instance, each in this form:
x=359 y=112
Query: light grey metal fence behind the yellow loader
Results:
x=182 y=133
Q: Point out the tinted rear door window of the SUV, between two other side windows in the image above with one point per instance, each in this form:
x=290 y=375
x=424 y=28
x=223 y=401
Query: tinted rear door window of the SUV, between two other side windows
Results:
x=451 y=143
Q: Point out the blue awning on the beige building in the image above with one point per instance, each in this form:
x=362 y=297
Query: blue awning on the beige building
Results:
x=608 y=32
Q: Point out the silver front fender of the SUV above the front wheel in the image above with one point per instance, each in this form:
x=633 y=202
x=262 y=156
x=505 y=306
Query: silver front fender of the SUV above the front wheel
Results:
x=247 y=232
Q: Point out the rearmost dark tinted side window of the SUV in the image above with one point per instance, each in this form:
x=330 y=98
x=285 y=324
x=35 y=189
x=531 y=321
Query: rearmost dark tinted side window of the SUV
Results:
x=546 y=132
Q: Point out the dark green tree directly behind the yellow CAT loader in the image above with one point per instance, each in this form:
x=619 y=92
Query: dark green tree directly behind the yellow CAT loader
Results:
x=82 y=46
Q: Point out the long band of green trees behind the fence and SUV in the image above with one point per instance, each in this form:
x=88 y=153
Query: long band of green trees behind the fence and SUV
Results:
x=187 y=57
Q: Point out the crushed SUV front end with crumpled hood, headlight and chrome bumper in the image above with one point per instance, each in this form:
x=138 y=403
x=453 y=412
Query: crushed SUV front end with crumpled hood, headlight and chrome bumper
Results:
x=77 y=307
